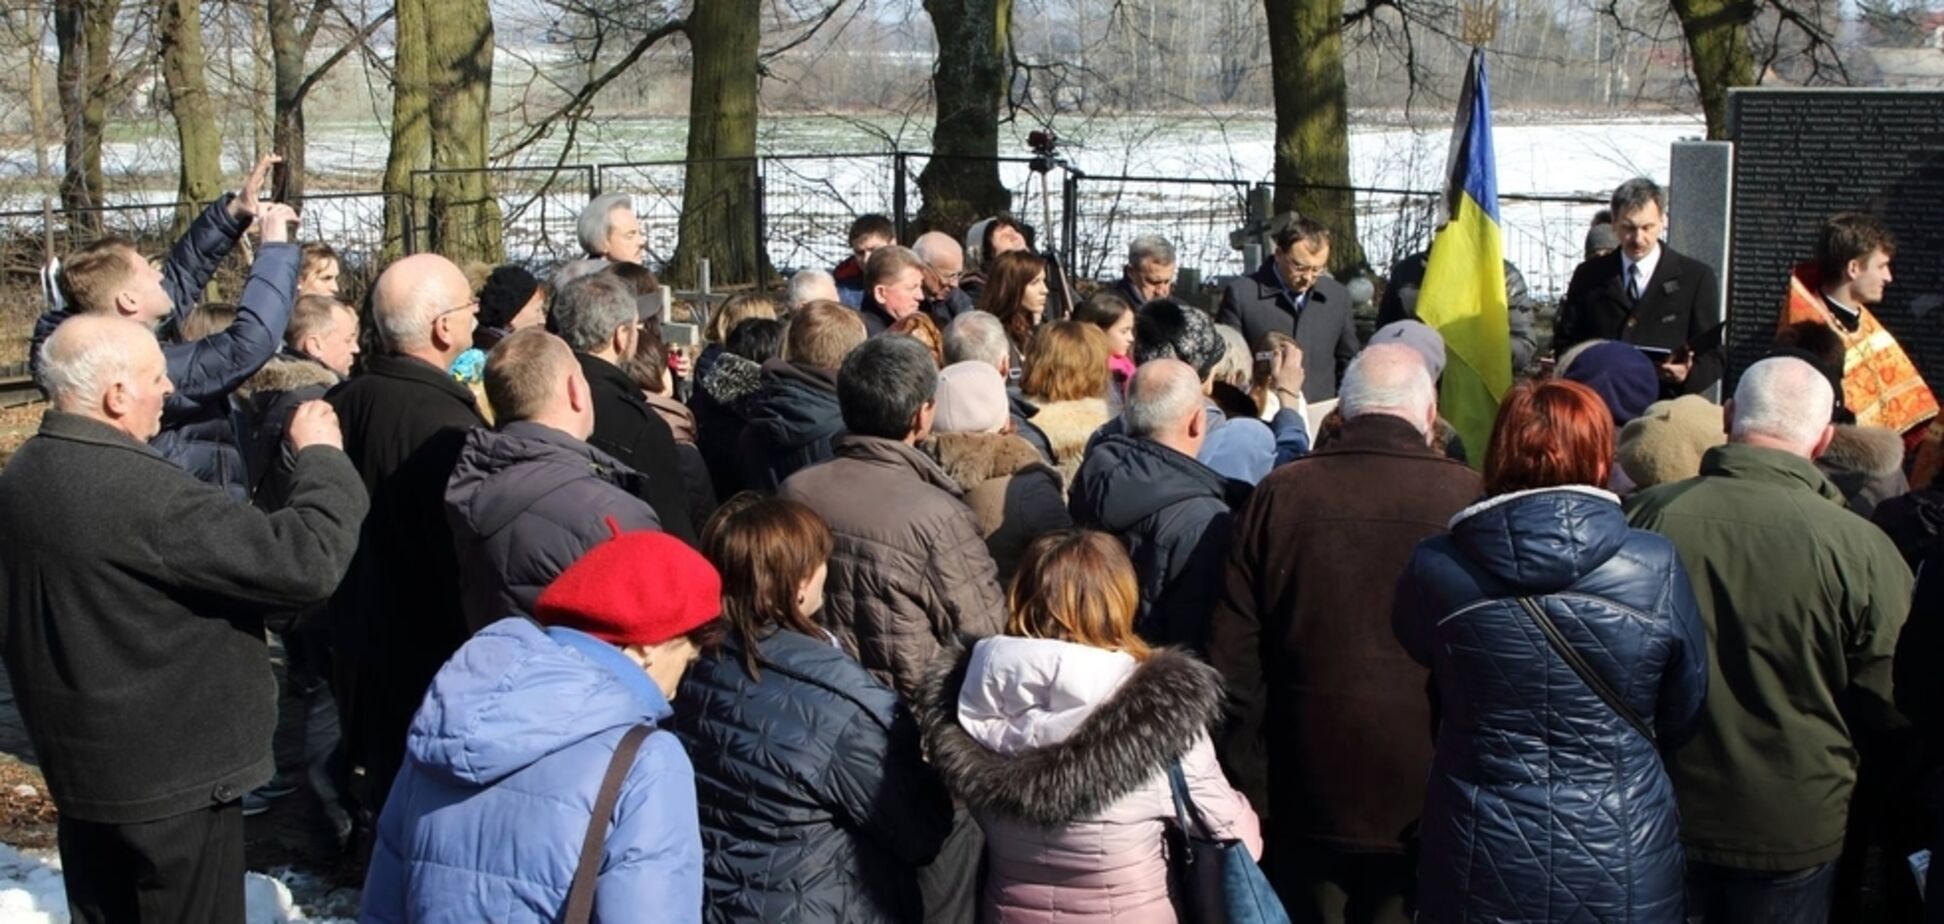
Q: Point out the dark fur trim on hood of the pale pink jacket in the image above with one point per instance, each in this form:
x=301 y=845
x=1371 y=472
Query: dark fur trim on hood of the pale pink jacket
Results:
x=1154 y=719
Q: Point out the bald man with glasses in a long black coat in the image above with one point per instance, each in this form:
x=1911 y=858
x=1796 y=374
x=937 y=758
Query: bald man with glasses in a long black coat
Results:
x=398 y=616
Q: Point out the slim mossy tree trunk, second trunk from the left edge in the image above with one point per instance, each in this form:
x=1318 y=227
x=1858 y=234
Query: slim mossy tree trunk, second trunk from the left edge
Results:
x=199 y=141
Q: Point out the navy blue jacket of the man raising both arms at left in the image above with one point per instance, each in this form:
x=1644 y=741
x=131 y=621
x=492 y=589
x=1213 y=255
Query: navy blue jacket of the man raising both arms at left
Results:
x=197 y=431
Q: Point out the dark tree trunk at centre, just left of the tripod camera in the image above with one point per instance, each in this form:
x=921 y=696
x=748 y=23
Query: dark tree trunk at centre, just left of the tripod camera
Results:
x=969 y=85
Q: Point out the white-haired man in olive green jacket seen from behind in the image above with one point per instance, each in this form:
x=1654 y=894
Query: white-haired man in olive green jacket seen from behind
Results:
x=1815 y=600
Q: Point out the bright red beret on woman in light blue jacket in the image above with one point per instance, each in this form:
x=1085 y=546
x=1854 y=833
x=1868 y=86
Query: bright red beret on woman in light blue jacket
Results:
x=635 y=590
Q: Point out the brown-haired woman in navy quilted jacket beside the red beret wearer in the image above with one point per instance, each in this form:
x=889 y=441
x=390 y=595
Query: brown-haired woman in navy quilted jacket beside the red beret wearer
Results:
x=816 y=800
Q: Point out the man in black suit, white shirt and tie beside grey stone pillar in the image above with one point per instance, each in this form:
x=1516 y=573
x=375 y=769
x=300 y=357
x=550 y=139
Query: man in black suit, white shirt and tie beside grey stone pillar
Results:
x=1649 y=297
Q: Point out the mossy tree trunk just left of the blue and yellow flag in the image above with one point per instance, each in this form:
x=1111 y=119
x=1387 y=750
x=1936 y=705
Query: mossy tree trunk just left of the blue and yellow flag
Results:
x=1313 y=122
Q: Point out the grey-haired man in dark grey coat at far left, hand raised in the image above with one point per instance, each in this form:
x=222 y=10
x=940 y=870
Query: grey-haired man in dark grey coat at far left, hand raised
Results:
x=133 y=600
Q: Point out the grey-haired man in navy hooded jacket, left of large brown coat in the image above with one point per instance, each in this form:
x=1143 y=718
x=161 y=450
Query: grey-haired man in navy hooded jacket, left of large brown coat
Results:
x=1175 y=515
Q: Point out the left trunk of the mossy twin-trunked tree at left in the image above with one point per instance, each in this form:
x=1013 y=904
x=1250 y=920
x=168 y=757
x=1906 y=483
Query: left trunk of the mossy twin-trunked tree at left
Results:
x=411 y=133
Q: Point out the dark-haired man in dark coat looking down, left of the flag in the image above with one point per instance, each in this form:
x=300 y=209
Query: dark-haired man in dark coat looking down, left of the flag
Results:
x=1290 y=295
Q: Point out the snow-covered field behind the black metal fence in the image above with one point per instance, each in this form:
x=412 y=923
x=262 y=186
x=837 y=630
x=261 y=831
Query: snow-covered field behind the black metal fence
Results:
x=810 y=201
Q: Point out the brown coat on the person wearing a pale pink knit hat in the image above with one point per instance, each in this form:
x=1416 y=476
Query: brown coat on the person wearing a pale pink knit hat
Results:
x=1006 y=483
